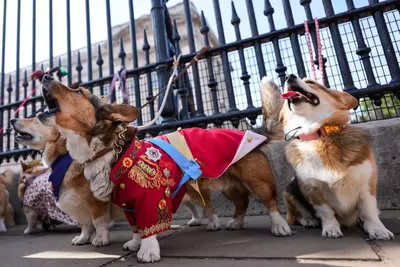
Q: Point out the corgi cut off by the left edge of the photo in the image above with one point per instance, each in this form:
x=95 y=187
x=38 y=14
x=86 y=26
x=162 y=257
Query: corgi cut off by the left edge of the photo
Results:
x=6 y=209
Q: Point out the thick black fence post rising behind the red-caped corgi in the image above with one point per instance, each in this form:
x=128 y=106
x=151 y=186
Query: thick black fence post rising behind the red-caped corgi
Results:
x=163 y=70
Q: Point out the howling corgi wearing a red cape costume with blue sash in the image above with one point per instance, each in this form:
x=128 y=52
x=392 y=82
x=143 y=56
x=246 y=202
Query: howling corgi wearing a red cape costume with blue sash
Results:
x=140 y=175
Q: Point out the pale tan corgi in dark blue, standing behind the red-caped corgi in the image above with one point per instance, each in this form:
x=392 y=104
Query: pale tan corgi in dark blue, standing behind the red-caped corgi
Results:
x=74 y=195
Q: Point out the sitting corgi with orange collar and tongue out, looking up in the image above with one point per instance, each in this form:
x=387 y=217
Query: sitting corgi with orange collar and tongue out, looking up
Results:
x=335 y=170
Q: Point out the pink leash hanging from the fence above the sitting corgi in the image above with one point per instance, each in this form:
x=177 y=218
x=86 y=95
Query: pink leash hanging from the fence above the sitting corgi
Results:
x=319 y=50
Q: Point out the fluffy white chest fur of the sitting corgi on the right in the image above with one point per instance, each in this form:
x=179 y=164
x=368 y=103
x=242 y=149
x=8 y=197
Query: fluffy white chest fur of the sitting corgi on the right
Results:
x=340 y=189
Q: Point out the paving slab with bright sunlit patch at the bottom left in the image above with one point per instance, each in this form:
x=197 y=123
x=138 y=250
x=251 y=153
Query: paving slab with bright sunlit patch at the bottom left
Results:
x=54 y=248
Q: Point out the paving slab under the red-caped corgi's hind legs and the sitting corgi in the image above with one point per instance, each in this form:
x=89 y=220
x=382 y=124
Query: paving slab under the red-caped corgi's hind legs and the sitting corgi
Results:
x=256 y=241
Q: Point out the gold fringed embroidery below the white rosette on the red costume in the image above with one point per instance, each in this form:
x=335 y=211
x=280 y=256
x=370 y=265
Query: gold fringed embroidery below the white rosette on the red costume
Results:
x=148 y=174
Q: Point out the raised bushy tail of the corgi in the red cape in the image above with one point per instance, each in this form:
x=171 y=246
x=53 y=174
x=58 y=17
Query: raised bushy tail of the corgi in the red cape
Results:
x=271 y=107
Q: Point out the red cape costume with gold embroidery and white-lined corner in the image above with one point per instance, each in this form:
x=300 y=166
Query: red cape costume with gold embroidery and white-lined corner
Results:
x=145 y=176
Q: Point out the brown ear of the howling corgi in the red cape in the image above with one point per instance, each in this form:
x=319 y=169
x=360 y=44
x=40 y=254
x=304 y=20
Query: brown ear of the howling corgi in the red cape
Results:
x=118 y=113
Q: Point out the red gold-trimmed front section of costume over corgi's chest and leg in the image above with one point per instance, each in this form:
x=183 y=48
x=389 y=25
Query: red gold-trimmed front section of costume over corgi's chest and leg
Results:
x=145 y=194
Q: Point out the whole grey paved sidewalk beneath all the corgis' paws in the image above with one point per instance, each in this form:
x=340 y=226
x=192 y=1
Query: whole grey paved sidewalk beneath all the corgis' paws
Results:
x=184 y=246
